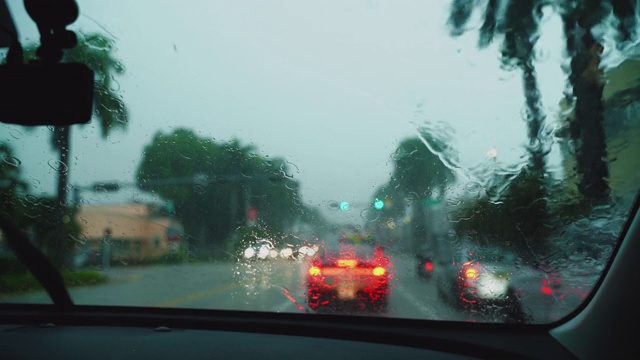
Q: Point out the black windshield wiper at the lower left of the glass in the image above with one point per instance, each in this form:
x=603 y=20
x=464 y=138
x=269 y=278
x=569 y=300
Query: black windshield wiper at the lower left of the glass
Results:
x=39 y=265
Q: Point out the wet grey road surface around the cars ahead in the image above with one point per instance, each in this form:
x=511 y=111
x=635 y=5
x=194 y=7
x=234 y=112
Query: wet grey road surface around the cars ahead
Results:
x=273 y=286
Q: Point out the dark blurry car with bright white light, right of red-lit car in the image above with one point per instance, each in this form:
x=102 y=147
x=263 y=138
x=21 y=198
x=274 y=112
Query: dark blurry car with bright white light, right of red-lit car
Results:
x=491 y=280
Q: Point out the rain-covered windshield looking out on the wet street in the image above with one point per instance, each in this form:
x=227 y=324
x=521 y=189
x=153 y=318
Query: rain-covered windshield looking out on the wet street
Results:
x=233 y=143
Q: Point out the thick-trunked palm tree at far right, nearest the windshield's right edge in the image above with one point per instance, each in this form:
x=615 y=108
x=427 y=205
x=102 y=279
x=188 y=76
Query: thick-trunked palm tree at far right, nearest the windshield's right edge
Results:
x=587 y=85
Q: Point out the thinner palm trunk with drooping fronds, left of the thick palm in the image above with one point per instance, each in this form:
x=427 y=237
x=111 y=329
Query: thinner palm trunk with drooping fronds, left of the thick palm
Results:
x=518 y=21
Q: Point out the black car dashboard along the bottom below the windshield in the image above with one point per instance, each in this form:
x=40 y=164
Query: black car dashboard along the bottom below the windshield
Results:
x=35 y=332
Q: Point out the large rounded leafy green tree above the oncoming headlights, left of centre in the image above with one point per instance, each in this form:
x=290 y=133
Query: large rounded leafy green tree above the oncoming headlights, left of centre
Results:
x=213 y=185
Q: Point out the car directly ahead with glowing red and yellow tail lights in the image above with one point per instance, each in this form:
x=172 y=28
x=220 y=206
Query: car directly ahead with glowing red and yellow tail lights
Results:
x=350 y=275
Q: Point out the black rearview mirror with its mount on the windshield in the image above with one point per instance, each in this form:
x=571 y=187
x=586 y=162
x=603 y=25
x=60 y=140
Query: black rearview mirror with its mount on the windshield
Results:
x=45 y=91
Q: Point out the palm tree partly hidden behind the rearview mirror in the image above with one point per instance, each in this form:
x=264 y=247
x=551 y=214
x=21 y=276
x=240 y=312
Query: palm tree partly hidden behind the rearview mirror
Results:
x=96 y=51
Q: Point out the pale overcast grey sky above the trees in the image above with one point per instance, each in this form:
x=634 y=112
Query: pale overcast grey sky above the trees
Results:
x=332 y=86
